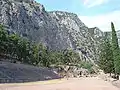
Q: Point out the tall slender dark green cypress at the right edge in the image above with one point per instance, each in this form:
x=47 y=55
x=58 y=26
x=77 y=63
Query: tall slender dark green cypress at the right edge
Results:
x=115 y=48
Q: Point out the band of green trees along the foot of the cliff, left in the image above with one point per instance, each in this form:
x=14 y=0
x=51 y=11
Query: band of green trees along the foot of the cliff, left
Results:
x=16 y=48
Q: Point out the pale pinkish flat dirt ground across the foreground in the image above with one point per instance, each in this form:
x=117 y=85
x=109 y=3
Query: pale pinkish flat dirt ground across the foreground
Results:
x=94 y=83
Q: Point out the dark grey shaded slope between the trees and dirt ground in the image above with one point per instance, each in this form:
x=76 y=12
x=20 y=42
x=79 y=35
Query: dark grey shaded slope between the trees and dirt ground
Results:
x=20 y=73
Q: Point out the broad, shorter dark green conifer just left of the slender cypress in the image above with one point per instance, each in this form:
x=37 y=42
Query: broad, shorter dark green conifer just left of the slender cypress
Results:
x=106 y=57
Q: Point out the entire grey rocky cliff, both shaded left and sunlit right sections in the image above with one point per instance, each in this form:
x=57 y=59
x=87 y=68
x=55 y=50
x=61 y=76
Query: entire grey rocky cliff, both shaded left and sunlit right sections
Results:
x=57 y=30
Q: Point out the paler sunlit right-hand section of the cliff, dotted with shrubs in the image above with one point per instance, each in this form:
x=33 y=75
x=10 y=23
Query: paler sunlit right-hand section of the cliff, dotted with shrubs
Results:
x=83 y=39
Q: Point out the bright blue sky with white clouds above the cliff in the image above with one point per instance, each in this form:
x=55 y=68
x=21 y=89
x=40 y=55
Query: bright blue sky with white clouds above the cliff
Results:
x=94 y=13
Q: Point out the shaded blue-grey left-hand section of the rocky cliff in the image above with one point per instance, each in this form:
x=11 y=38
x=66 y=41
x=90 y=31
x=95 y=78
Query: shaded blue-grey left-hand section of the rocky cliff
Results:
x=29 y=19
